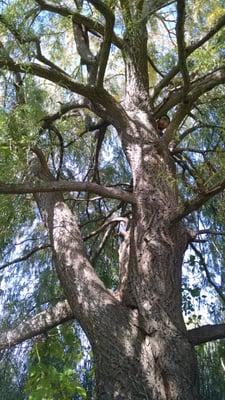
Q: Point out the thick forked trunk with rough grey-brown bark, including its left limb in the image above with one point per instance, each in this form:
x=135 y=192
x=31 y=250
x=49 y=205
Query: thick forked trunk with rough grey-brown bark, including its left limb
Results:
x=138 y=336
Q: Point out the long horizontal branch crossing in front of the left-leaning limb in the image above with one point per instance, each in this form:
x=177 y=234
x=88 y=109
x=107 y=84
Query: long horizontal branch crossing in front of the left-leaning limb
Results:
x=54 y=186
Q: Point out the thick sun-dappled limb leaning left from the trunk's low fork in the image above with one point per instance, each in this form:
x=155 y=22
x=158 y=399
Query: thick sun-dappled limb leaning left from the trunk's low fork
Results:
x=86 y=293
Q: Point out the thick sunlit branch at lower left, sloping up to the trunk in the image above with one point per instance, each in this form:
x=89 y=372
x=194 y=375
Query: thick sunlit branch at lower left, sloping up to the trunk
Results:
x=37 y=325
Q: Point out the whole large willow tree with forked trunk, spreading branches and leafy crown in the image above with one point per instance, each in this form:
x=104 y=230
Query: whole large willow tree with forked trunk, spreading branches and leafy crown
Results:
x=141 y=347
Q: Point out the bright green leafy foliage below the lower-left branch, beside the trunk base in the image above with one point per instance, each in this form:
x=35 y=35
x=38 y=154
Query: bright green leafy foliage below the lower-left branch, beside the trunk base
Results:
x=51 y=367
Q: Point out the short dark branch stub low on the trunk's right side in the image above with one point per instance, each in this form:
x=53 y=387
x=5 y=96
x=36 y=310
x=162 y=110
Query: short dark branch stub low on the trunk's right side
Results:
x=206 y=333
